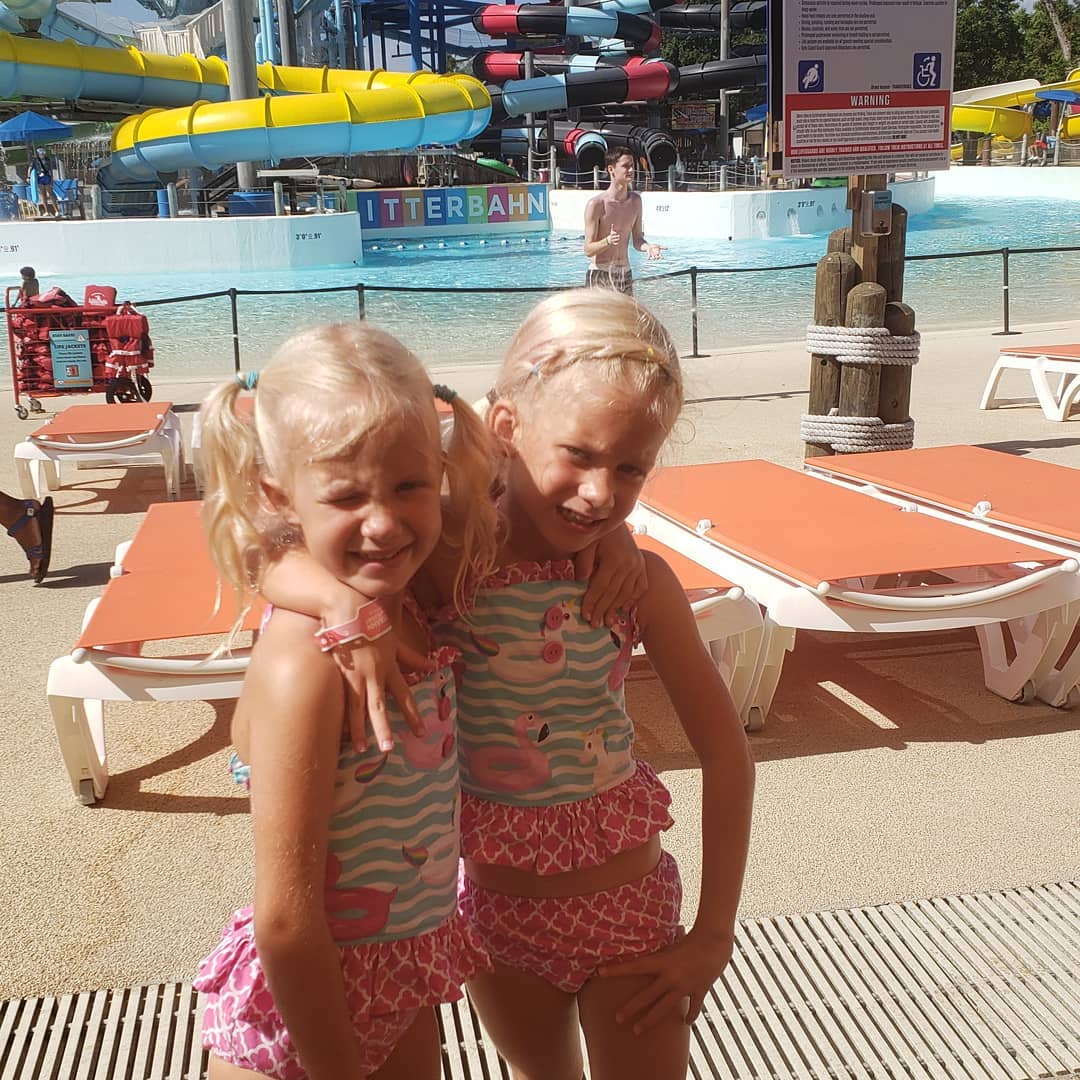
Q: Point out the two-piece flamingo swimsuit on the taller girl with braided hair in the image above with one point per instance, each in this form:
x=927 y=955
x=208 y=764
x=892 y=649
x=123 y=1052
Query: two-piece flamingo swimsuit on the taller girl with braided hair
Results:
x=549 y=780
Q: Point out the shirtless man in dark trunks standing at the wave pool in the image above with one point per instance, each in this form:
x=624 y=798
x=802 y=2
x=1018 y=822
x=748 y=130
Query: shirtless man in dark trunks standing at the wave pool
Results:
x=613 y=220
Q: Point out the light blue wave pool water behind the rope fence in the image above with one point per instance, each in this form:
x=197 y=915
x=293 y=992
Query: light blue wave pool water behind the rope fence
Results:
x=769 y=305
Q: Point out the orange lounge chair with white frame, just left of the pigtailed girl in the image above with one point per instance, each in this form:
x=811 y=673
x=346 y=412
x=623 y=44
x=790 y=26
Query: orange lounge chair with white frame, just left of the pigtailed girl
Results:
x=166 y=589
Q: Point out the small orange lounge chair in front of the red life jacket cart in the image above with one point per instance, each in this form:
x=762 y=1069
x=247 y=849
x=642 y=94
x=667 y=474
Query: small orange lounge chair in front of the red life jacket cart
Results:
x=109 y=435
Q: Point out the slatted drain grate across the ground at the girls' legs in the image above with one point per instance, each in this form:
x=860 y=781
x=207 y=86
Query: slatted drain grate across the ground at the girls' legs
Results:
x=981 y=987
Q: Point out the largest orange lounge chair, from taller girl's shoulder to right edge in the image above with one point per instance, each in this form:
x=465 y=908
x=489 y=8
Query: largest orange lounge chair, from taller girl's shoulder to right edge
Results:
x=818 y=557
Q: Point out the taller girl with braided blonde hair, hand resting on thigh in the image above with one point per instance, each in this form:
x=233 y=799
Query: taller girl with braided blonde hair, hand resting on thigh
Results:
x=565 y=879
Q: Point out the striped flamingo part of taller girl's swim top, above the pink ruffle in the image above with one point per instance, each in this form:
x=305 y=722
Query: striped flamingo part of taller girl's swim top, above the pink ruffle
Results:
x=542 y=717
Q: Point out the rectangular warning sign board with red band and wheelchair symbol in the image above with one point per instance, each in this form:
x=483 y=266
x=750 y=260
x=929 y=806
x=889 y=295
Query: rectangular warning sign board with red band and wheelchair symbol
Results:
x=867 y=86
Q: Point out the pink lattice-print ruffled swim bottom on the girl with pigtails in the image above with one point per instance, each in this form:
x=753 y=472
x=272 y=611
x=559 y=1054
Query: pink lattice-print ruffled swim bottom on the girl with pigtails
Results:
x=386 y=984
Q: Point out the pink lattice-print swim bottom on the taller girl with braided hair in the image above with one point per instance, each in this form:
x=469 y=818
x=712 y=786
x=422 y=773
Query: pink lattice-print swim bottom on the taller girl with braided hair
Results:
x=565 y=940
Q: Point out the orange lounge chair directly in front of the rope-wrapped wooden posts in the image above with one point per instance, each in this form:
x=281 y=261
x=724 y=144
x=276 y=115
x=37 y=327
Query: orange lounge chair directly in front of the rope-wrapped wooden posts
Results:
x=1005 y=495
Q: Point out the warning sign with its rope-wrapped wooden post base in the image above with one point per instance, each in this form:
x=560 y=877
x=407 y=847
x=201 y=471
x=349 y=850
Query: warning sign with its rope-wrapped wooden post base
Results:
x=866 y=91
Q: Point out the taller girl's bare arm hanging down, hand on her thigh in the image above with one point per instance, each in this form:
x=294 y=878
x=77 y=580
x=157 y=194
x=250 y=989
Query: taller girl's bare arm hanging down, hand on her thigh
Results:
x=708 y=714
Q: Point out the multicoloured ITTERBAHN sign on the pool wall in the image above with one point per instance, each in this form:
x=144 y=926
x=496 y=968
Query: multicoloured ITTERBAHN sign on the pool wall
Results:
x=413 y=212
